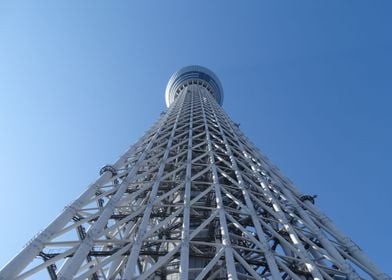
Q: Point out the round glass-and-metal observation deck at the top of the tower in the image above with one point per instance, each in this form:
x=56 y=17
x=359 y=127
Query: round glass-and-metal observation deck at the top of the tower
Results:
x=193 y=75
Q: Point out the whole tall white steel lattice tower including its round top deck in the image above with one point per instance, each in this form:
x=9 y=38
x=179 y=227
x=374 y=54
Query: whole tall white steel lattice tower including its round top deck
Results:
x=192 y=199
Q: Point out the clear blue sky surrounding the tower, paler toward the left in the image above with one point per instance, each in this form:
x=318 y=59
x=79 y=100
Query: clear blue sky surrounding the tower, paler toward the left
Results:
x=309 y=81
